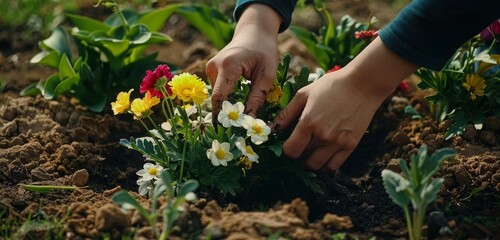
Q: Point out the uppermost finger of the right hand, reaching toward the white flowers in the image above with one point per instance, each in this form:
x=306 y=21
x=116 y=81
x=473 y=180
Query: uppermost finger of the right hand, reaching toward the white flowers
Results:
x=290 y=113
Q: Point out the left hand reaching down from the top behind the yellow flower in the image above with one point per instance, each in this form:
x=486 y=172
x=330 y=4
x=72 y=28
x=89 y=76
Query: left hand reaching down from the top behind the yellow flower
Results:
x=252 y=53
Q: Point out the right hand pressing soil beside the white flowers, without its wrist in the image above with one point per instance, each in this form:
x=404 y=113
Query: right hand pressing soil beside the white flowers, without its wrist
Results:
x=332 y=117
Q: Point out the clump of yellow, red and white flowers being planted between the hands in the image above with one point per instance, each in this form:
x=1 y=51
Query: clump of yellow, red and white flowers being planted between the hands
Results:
x=186 y=143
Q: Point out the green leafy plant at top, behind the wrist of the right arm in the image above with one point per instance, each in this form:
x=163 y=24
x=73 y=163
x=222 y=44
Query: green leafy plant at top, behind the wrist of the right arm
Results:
x=335 y=45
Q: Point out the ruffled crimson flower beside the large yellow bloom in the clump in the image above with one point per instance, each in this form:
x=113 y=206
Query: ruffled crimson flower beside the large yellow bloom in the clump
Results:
x=149 y=81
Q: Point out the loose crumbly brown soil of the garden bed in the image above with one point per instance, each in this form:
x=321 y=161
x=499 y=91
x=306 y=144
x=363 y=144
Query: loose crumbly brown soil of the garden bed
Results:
x=58 y=142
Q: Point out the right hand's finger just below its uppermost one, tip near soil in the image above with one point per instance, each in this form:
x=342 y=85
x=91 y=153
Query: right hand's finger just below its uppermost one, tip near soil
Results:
x=294 y=146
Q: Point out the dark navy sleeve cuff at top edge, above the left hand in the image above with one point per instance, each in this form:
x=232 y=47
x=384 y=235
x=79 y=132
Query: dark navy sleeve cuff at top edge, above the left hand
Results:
x=282 y=7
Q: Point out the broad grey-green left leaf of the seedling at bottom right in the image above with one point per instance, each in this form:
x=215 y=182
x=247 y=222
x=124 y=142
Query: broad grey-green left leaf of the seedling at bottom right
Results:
x=394 y=186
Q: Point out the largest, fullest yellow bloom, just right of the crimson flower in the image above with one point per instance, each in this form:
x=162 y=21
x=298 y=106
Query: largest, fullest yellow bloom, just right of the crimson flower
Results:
x=188 y=87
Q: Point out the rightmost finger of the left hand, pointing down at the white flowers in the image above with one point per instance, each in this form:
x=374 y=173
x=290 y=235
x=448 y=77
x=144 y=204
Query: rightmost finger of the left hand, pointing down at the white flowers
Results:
x=258 y=92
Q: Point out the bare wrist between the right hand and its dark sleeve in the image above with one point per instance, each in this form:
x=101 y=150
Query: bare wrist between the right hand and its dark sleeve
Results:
x=377 y=70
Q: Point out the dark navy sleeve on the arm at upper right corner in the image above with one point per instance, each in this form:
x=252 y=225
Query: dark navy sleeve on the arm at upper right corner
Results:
x=428 y=32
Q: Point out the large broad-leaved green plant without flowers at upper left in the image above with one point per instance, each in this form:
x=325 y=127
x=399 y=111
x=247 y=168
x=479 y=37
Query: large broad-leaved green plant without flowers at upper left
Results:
x=110 y=55
